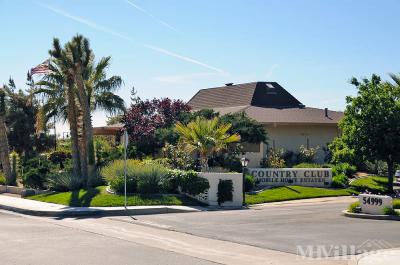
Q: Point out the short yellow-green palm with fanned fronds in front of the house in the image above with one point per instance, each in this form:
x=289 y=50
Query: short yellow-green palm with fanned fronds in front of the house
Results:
x=205 y=137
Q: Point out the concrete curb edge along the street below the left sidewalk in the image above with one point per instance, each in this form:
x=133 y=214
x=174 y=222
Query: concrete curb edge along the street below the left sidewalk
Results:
x=104 y=211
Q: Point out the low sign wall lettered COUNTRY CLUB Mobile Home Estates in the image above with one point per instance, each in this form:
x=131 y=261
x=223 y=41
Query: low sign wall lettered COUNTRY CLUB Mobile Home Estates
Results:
x=311 y=177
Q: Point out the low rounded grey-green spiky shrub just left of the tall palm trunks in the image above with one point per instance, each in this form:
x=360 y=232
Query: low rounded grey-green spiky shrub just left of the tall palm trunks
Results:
x=64 y=181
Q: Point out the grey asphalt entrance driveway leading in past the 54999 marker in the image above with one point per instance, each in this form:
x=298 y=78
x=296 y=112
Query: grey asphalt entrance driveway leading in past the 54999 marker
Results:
x=285 y=228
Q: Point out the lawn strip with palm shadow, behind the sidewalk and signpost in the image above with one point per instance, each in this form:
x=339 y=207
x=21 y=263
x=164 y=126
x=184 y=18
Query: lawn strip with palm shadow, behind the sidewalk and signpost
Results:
x=98 y=197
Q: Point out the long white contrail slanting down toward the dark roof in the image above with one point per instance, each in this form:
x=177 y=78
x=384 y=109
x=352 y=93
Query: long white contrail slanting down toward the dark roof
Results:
x=127 y=38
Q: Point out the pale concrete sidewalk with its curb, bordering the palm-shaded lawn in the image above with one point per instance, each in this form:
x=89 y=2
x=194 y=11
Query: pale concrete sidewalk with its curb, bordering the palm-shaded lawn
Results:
x=37 y=208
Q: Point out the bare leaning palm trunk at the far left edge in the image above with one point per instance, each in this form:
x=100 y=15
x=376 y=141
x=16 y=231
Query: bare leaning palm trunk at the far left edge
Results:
x=4 y=149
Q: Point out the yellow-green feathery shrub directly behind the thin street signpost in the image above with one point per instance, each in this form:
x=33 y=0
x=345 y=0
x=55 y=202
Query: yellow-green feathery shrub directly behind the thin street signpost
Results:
x=113 y=173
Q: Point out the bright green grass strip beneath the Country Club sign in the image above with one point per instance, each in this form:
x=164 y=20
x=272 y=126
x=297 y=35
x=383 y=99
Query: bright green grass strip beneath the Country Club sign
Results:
x=294 y=193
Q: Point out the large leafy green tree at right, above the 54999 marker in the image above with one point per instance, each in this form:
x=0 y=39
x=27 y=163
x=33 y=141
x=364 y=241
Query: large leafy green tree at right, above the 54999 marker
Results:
x=371 y=124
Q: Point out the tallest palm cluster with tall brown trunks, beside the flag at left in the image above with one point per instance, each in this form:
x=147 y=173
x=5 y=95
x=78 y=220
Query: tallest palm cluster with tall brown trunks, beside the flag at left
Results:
x=67 y=72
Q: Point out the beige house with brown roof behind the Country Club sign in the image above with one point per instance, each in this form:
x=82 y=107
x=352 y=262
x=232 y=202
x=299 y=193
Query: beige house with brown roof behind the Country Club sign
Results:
x=288 y=122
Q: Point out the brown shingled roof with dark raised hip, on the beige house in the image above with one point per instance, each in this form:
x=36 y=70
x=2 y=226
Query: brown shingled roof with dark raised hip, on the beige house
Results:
x=266 y=102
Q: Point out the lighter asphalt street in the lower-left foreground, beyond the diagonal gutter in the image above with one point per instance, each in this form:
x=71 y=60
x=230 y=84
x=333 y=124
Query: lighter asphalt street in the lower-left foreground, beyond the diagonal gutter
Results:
x=25 y=240
